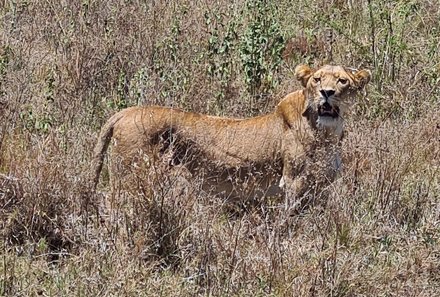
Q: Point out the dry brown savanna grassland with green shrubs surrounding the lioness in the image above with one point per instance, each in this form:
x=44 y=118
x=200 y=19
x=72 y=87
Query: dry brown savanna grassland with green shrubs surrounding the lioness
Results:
x=66 y=66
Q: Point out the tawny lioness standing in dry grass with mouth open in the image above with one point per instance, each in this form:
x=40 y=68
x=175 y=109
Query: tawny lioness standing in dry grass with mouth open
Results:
x=279 y=146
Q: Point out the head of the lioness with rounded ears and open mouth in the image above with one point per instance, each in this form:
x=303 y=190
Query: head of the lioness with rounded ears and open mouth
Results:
x=330 y=90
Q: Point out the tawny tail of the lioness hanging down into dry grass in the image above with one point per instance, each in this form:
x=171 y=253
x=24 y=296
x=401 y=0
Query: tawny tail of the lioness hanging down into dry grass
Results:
x=101 y=147
